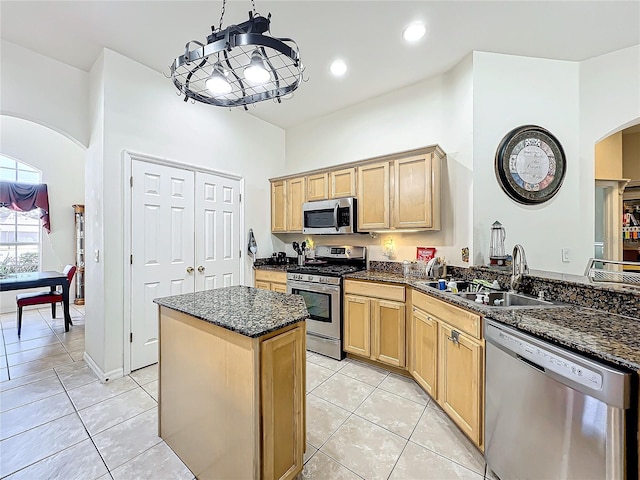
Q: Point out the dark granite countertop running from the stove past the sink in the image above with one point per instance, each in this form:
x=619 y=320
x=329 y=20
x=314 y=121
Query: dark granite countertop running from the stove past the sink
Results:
x=600 y=334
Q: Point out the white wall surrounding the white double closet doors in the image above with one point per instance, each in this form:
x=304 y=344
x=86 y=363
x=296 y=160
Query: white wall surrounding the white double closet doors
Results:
x=143 y=114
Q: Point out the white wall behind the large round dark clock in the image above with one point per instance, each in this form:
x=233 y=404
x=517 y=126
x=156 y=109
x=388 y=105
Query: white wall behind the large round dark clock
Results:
x=508 y=92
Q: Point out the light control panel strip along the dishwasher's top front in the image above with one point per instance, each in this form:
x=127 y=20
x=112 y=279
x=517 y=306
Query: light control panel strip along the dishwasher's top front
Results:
x=551 y=361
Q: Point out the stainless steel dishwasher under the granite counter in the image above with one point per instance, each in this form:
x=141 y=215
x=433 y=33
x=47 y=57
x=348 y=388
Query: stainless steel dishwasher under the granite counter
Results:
x=552 y=414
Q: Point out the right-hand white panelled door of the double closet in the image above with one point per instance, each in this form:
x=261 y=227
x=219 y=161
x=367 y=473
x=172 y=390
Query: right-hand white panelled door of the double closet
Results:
x=217 y=229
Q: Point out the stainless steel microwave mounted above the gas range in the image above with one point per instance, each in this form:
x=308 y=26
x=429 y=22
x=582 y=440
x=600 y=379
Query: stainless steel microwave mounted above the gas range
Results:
x=329 y=216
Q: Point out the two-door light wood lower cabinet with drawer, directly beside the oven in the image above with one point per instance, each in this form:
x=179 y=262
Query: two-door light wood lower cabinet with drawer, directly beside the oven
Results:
x=374 y=327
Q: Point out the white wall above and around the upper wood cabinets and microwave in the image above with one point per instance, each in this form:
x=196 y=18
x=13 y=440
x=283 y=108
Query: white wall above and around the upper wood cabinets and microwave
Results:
x=435 y=111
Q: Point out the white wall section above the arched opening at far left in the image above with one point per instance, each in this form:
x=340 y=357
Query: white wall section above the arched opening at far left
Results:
x=45 y=91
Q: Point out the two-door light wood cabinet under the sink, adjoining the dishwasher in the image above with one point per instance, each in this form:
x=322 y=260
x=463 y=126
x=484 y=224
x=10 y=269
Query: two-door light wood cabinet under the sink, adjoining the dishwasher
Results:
x=447 y=360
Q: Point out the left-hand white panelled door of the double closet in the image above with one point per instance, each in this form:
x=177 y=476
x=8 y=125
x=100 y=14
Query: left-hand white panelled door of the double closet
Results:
x=162 y=243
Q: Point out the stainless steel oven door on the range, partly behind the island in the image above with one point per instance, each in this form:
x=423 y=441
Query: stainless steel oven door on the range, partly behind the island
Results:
x=323 y=305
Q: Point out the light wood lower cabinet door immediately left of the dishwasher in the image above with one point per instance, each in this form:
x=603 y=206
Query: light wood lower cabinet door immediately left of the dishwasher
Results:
x=460 y=379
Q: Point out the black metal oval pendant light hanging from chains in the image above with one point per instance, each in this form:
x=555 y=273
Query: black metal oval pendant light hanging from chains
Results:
x=239 y=65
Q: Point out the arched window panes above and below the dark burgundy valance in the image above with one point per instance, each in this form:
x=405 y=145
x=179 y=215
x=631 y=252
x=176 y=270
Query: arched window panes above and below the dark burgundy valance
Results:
x=19 y=231
